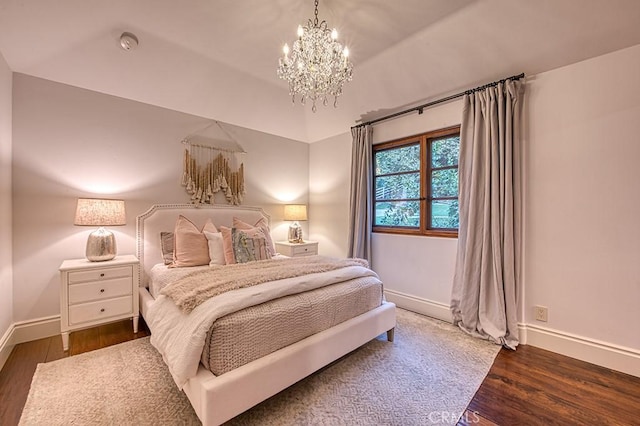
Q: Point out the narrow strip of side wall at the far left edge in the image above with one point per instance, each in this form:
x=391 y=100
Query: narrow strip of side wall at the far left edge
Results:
x=6 y=275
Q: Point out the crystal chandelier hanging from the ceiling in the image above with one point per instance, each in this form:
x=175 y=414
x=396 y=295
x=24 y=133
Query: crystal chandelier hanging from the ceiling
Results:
x=317 y=65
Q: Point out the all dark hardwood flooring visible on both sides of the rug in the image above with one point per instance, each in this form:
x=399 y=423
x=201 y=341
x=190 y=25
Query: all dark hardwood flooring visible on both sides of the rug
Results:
x=529 y=386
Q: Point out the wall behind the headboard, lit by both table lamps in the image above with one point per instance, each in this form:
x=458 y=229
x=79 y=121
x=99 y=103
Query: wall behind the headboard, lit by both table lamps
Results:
x=71 y=142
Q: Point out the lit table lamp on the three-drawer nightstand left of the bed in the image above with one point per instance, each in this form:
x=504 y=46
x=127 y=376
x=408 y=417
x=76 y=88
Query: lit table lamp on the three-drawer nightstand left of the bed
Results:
x=101 y=244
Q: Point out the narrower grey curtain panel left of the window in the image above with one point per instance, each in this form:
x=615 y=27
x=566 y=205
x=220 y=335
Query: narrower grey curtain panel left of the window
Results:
x=360 y=196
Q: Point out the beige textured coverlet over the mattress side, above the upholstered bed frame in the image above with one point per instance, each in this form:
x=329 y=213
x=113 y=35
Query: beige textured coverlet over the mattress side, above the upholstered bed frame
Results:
x=249 y=334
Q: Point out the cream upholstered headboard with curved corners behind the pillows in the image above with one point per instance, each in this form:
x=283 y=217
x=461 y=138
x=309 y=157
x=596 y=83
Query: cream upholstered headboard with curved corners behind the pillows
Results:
x=162 y=218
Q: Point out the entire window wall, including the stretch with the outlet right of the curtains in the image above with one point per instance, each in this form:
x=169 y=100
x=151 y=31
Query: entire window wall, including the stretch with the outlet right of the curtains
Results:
x=582 y=204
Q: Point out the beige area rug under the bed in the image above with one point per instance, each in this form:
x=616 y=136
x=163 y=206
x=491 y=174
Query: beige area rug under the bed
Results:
x=427 y=376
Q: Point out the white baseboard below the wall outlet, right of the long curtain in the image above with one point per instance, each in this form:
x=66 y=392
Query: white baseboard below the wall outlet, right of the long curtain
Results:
x=619 y=358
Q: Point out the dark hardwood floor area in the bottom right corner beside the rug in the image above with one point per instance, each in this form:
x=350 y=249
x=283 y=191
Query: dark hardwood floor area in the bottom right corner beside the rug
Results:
x=534 y=386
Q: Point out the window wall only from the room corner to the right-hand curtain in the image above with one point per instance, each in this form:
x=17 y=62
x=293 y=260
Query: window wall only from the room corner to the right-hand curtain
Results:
x=417 y=269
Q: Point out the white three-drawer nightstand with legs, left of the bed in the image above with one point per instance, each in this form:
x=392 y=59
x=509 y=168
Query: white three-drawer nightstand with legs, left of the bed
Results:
x=93 y=293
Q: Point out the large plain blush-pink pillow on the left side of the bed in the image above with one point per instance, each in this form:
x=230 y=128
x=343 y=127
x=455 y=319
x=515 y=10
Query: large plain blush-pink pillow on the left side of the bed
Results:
x=190 y=244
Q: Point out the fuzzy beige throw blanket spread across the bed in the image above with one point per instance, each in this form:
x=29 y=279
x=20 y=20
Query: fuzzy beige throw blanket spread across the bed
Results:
x=192 y=290
